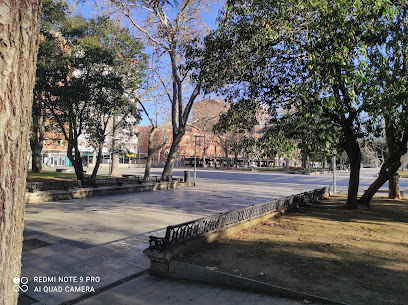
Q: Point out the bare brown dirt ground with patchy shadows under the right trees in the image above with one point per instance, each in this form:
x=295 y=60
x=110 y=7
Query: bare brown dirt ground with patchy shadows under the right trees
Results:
x=355 y=257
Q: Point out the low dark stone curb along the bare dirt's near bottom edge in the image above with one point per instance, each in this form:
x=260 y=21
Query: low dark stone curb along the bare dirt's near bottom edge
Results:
x=183 y=271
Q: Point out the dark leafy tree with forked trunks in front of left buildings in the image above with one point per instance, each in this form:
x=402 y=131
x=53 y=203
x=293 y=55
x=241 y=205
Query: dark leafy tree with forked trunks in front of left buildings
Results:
x=105 y=66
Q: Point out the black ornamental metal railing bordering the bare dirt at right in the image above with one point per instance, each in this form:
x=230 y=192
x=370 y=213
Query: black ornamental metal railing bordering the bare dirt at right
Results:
x=180 y=233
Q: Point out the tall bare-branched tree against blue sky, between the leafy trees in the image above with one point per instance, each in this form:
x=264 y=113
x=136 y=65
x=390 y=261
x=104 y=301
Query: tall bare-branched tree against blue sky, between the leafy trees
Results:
x=170 y=27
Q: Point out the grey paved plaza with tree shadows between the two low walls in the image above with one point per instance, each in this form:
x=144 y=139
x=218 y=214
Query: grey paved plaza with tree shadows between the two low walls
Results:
x=103 y=237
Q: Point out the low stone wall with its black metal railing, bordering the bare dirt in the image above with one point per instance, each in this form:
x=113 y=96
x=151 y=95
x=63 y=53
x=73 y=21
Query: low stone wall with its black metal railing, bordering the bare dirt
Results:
x=183 y=237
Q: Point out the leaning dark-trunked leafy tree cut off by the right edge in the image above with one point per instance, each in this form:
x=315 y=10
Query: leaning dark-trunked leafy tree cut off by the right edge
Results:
x=388 y=60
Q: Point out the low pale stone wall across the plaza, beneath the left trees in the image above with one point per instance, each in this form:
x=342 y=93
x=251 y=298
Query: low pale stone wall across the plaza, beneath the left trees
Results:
x=55 y=195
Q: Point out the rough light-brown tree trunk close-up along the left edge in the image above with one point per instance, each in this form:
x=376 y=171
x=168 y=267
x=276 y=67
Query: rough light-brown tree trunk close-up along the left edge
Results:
x=19 y=28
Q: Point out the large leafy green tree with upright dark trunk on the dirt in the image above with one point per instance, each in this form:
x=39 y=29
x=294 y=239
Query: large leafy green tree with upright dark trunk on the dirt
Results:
x=306 y=54
